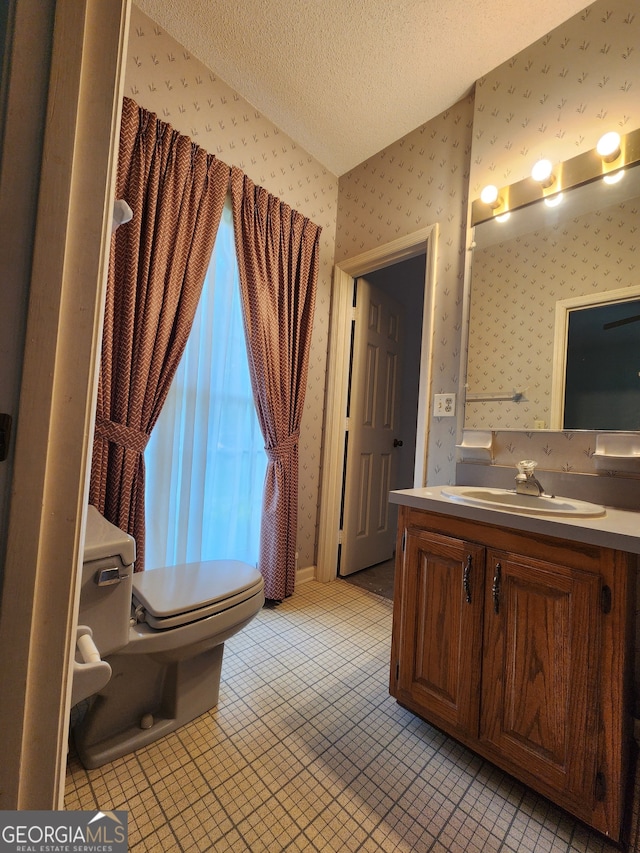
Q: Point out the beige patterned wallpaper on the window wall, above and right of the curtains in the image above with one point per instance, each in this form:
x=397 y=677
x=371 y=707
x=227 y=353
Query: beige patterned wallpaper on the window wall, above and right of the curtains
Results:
x=164 y=78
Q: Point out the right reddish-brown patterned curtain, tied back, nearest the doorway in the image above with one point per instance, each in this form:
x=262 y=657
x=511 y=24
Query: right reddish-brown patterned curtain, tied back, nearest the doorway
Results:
x=278 y=254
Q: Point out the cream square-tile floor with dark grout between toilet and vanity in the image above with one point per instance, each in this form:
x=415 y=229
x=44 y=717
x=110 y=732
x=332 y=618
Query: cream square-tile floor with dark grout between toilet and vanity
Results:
x=307 y=751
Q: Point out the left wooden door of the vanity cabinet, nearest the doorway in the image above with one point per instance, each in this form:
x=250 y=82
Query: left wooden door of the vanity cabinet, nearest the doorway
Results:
x=441 y=630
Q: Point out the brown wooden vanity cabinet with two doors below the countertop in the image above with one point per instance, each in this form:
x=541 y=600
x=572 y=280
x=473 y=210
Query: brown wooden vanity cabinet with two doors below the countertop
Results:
x=519 y=645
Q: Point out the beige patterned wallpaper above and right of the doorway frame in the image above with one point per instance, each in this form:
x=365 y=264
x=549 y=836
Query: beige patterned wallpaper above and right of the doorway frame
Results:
x=420 y=180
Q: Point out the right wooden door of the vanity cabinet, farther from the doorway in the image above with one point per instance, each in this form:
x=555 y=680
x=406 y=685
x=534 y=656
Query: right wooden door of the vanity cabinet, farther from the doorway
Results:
x=541 y=669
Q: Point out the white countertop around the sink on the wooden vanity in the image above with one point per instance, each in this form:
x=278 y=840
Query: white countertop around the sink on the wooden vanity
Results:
x=618 y=528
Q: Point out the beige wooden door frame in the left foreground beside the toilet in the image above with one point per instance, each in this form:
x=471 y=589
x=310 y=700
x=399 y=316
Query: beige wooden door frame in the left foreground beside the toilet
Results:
x=71 y=230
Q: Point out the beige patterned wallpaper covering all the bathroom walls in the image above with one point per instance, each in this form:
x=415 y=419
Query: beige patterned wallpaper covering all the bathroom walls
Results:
x=555 y=98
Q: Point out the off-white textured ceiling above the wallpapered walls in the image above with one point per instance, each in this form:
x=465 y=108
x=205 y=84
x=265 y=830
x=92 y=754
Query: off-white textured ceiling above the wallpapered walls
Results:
x=346 y=78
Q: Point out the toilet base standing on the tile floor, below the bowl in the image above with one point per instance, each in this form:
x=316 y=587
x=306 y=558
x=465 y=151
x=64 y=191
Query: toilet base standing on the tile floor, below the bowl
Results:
x=144 y=691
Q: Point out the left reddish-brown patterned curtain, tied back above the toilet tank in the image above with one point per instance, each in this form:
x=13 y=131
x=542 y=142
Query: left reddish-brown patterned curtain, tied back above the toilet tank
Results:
x=157 y=267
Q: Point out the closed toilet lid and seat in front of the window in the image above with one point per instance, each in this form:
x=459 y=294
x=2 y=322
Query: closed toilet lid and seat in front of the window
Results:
x=176 y=595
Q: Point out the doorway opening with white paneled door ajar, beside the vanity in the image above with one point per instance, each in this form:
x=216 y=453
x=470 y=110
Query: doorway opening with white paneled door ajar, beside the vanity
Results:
x=382 y=410
